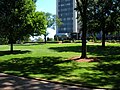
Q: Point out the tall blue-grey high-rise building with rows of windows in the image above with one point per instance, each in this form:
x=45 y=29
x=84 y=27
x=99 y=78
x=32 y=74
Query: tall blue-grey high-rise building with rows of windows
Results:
x=65 y=11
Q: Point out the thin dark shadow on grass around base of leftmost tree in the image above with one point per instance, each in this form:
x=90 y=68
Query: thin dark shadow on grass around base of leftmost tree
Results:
x=2 y=53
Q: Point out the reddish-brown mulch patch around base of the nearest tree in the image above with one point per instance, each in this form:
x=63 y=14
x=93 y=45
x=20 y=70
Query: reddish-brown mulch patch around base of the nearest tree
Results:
x=90 y=59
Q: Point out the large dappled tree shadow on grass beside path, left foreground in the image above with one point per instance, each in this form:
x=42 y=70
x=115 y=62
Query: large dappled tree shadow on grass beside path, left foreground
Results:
x=43 y=67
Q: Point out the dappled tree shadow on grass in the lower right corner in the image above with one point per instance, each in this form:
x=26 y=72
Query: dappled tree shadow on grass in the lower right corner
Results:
x=104 y=74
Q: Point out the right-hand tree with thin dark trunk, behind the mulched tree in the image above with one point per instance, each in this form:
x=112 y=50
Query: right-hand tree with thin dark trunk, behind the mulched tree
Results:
x=106 y=12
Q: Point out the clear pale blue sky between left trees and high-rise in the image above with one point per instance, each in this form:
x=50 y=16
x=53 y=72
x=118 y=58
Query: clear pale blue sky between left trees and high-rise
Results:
x=46 y=6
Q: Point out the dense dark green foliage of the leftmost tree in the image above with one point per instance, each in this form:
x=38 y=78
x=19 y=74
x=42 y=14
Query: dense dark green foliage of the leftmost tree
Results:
x=14 y=14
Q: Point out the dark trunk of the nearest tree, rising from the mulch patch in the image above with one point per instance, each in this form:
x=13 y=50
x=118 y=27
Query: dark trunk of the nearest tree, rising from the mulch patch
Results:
x=82 y=9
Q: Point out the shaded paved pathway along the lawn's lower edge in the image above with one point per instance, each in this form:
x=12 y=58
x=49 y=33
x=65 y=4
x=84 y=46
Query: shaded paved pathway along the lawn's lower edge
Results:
x=10 y=82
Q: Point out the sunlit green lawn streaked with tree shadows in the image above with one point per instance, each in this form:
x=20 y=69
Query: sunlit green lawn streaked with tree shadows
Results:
x=48 y=61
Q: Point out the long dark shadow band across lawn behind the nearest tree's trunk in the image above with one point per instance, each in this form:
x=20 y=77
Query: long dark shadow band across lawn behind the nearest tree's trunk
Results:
x=91 y=49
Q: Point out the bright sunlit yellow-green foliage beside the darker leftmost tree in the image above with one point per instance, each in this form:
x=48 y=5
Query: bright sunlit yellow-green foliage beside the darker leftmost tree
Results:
x=36 y=23
